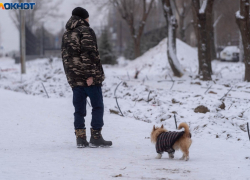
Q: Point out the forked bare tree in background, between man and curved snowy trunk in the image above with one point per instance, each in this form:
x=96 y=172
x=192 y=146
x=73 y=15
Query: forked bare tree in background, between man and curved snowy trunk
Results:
x=129 y=11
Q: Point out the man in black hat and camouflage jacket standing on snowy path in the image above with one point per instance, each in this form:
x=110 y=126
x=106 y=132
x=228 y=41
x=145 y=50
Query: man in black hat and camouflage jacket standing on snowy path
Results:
x=85 y=75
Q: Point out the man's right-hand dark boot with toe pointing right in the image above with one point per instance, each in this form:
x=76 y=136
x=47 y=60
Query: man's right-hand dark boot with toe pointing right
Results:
x=96 y=139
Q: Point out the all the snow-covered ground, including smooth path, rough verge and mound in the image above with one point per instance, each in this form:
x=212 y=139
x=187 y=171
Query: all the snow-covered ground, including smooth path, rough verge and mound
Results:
x=38 y=138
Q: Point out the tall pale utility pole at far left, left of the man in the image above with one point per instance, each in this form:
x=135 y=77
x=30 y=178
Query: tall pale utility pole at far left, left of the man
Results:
x=22 y=40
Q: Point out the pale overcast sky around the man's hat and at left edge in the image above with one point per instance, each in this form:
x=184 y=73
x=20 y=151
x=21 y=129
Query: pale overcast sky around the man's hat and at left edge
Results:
x=10 y=34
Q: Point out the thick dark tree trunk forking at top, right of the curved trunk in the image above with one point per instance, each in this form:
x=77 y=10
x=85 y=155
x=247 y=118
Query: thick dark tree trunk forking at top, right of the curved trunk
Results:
x=204 y=45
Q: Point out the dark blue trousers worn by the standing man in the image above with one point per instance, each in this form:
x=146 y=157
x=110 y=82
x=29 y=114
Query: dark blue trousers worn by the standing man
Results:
x=80 y=95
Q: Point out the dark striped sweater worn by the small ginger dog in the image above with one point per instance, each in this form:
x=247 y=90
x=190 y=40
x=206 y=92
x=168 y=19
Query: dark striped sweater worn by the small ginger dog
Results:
x=166 y=140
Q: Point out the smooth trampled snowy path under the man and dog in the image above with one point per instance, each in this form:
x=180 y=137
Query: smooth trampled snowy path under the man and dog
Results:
x=38 y=142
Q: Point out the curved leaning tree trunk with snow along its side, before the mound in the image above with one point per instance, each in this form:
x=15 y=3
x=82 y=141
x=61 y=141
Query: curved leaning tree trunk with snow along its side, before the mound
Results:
x=171 y=42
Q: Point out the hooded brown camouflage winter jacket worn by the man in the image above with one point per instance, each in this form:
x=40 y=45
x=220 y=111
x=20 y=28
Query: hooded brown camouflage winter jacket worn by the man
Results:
x=80 y=54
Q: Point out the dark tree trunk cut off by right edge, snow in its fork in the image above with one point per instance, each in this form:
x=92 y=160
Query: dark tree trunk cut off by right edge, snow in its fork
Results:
x=243 y=21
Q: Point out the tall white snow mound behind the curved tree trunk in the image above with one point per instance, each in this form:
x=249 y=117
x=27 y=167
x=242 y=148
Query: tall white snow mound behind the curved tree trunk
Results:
x=155 y=61
